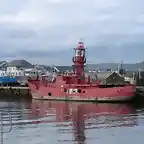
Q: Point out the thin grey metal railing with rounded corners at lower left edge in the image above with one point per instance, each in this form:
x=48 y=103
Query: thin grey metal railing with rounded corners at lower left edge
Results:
x=1 y=124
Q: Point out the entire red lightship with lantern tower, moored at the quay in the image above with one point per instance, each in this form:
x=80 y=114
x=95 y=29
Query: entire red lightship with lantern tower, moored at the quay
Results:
x=77 y=86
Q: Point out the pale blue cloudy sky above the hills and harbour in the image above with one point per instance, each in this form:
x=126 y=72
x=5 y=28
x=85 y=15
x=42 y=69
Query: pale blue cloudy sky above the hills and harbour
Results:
x=46 y=31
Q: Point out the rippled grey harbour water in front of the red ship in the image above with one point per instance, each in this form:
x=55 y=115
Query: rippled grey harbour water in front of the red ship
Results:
x=43 y=122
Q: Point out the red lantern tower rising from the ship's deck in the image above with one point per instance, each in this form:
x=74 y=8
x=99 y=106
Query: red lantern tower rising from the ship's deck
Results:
x=79 y=59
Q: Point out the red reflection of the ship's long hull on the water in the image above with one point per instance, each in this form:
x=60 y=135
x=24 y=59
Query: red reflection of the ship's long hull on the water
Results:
x=64 y=110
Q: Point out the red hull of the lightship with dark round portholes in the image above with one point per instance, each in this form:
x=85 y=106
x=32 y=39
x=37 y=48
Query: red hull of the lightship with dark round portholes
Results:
x=89 y=93
